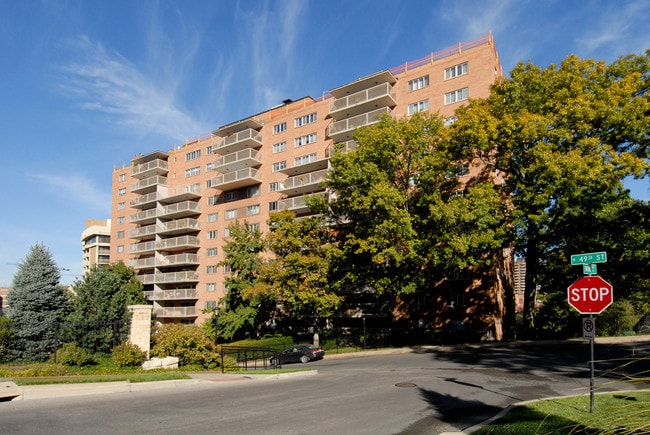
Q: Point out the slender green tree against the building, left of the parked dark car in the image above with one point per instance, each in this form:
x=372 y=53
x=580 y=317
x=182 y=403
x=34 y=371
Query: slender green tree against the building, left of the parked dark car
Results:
x=239 y=313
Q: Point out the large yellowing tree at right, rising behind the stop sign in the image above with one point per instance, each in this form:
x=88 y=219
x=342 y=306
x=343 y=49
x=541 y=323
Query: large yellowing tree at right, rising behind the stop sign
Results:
x=562 y=138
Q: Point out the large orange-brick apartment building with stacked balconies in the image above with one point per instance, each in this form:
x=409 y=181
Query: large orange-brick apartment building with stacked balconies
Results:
x=171 y=209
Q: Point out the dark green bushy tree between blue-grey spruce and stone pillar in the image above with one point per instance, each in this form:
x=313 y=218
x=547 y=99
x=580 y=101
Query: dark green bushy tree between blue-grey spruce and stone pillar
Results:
x=99 y=318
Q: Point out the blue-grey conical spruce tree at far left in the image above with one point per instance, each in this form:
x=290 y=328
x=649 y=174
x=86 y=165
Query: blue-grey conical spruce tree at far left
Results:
x=37 y=303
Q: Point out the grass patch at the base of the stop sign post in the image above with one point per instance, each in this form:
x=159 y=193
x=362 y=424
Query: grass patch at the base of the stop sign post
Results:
x=614 y=413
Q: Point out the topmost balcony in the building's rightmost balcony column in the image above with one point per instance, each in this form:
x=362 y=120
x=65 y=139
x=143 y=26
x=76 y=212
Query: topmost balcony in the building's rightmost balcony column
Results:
x=363 y=101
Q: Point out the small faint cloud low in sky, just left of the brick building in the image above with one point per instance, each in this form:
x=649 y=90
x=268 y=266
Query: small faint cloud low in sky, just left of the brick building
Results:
x=76 y=187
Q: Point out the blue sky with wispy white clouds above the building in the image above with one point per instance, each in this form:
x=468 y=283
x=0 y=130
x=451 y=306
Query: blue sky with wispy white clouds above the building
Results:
x=85 y=84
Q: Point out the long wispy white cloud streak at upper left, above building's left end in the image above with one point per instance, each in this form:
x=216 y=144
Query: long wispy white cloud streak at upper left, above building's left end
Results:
x=104 y=81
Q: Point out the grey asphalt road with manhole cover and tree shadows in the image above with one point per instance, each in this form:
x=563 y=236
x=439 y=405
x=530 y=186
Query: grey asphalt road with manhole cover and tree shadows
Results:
x=442 y=389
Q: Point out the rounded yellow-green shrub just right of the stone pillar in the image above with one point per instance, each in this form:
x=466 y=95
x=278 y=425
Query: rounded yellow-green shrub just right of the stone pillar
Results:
x=187 y=342
